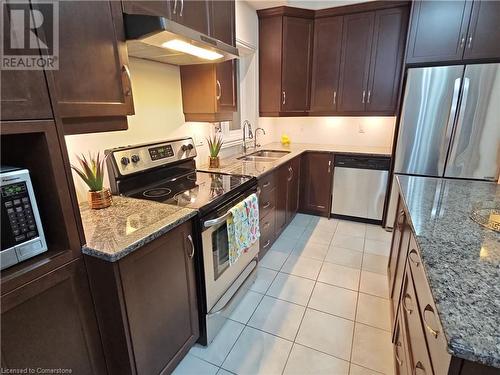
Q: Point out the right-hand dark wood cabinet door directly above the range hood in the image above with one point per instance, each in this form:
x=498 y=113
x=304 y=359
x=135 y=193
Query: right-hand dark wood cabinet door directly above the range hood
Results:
x=222 y=21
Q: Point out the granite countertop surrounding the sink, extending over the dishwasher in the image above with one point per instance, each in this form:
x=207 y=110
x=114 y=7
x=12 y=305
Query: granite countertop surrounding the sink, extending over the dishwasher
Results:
x=232 y=165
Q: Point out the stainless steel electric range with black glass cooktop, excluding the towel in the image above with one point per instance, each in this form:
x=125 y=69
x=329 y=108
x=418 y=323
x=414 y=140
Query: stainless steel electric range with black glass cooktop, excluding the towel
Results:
x=166 y=172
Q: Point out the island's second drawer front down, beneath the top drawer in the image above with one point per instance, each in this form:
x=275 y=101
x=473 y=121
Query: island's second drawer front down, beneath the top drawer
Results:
x=418 y=354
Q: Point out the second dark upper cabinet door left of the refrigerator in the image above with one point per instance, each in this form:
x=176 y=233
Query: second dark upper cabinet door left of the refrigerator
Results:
x=355 y=62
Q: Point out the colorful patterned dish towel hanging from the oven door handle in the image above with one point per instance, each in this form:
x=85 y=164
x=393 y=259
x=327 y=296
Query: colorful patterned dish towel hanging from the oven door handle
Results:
x=243 y=227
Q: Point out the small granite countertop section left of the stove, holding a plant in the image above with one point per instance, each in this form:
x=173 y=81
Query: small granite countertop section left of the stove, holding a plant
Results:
x=127 y=225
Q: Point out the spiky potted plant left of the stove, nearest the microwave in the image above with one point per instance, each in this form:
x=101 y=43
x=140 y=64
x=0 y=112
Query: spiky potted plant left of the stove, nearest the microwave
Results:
x=92 y=173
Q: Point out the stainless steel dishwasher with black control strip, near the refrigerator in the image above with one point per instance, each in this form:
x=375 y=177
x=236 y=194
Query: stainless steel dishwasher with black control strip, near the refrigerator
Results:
x=359 y=187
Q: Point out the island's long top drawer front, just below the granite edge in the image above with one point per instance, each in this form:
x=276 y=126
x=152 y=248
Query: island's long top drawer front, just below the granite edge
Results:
x=428 y=313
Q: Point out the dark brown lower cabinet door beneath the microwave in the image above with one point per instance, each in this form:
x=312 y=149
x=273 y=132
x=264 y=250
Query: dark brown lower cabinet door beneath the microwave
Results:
x=50 y=323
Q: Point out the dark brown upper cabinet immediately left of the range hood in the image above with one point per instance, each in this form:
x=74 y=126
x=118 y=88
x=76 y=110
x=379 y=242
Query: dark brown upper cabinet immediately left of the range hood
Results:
x=91 y=91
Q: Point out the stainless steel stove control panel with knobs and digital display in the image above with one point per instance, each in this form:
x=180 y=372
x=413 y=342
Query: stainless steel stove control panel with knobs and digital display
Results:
x=138 y=158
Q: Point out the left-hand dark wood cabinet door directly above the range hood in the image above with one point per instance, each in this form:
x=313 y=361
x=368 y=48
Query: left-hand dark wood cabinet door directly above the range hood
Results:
x=193 y=14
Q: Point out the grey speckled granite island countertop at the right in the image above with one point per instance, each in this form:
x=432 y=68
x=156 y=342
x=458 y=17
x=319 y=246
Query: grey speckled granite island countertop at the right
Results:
x=461 y=260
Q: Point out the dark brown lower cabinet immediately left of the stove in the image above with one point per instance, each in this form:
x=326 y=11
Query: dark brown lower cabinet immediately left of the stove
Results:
x=146 y=304
